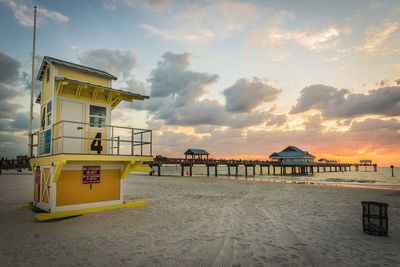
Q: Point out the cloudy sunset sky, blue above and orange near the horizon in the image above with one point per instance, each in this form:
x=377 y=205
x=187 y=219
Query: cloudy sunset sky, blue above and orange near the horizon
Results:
x=241 y=79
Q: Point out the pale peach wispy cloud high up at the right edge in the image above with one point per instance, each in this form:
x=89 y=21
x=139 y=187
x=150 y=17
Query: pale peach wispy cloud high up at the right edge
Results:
x=377 y=36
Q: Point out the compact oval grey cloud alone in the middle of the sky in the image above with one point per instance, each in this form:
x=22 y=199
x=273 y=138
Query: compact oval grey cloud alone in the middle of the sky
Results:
x=245 y=95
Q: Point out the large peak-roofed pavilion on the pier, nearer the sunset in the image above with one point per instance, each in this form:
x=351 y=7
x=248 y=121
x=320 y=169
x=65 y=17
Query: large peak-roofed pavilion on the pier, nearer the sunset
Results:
x=292 y=156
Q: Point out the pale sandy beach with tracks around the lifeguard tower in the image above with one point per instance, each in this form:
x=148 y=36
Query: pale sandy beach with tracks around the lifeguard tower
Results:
x=200 y=221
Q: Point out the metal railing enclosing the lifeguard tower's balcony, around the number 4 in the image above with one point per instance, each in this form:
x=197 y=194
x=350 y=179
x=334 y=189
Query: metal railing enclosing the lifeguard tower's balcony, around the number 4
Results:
x=70 y=137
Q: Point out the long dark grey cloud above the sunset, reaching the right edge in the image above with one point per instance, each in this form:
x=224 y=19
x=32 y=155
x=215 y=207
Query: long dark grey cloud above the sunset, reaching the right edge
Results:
x=335 y=103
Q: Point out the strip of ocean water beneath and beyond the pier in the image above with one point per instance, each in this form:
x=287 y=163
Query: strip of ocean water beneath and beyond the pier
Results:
x=365 y=175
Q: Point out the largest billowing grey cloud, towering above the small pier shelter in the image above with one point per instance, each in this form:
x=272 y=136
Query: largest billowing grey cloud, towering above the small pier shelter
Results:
x=177 y=97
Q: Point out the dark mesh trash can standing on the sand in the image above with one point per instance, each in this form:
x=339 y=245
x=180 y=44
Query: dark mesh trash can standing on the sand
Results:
x=375 y=218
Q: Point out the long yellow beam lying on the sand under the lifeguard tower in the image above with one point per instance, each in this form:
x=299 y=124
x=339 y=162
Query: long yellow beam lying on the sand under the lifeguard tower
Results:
x=65 y=214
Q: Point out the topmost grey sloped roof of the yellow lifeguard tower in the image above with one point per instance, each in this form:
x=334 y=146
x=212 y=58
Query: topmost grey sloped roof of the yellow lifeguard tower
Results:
x=55 y=61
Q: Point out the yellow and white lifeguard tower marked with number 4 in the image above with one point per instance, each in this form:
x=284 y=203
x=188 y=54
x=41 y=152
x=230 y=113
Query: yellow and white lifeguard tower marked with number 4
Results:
x=80 y=159
